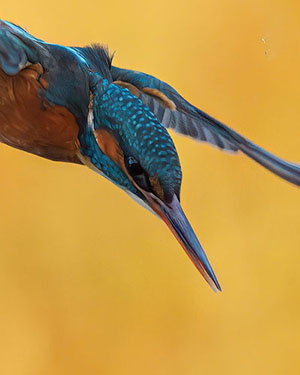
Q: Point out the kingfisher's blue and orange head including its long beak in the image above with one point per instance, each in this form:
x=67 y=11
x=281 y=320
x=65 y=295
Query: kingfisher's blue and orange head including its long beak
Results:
x=126 y=143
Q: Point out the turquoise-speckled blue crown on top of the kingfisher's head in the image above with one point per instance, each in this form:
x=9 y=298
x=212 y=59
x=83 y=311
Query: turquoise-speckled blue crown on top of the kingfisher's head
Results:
x=138 y=132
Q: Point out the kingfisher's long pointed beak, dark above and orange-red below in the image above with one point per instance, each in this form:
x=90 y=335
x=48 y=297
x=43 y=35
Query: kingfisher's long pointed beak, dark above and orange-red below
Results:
x=173 y=215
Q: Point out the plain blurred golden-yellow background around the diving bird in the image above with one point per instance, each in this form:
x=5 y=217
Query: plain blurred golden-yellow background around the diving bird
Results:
x=91 y=283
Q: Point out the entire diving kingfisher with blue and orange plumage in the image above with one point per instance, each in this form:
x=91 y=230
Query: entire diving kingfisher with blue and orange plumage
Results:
x=71 y=104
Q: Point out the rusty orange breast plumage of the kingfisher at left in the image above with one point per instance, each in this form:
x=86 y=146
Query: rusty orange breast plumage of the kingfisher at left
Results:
x=29 y=123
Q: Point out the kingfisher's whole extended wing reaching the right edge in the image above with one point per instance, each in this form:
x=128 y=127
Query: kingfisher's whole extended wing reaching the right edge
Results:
x=176 y=113
